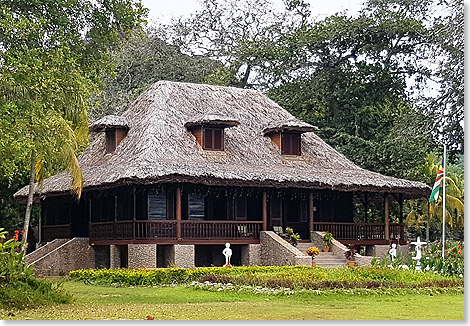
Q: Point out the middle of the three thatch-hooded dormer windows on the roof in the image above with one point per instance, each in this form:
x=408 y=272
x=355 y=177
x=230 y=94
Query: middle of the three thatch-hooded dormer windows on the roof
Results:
x=209 y=131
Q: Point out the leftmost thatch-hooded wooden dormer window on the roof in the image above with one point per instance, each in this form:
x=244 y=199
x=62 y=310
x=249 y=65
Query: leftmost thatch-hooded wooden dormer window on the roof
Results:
x=115 y=129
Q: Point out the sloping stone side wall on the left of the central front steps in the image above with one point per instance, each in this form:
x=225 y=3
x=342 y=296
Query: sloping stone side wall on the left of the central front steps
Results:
x=276 y=251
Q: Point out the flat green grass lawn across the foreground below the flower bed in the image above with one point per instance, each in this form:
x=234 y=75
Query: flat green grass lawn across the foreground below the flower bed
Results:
x=180 y=302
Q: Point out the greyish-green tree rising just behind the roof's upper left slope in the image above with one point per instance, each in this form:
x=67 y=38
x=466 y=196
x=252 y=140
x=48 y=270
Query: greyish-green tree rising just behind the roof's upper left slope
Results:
x=141 y=61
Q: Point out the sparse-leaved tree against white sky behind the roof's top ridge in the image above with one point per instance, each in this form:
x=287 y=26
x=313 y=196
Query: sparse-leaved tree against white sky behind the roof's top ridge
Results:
x=234 y=32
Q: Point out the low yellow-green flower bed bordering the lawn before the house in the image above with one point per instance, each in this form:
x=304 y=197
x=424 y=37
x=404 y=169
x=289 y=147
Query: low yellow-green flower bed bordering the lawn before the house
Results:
x=272 y=276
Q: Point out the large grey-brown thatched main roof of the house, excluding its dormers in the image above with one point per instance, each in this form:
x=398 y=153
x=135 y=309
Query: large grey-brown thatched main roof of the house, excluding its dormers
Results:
x=159 y=148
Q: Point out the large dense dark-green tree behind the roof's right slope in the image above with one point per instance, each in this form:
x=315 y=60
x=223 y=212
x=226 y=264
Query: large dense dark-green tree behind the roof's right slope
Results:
x=349 y=76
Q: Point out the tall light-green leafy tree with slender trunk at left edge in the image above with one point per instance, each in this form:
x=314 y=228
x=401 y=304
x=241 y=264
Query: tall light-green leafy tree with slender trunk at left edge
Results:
x=52 y=56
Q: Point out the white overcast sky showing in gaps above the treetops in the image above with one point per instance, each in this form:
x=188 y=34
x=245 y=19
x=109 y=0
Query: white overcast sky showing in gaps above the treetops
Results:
x=164 y=10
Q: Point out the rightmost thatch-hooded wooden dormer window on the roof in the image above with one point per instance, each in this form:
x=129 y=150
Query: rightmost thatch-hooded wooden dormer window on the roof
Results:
x=287 y=135
